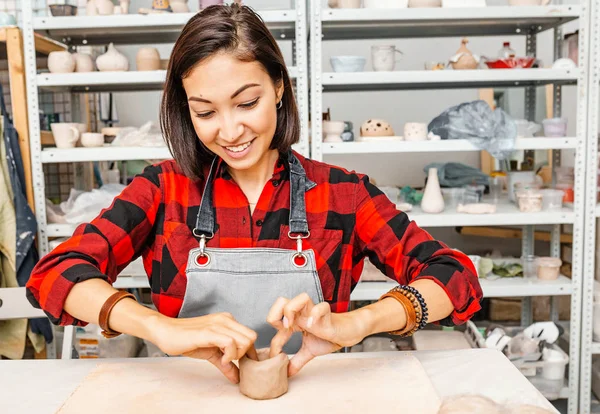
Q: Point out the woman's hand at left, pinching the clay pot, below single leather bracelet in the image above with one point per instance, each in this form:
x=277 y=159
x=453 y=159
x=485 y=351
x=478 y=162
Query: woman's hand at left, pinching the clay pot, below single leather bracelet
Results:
x=217 y=338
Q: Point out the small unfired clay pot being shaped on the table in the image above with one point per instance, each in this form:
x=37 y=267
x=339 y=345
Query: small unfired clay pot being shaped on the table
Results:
x=266 y=378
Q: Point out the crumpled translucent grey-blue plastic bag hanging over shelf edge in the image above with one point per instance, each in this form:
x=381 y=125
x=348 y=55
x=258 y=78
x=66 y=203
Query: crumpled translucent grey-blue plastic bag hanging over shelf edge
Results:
x=491 y=130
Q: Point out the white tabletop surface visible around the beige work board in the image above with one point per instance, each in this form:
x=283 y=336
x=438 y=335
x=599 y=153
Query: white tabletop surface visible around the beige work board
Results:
x=41 y=386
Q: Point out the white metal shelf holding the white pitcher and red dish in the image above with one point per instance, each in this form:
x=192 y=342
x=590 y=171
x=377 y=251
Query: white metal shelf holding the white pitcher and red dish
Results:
x=445 y=79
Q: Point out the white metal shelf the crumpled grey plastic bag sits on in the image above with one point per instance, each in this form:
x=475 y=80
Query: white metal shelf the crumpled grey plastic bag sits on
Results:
x=383 y=146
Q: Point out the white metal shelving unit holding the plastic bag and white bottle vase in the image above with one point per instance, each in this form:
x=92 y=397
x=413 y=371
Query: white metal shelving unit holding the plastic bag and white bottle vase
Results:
x=336 y=24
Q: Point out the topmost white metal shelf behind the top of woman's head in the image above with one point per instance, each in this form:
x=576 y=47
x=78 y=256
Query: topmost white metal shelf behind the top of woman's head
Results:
x=142 y=29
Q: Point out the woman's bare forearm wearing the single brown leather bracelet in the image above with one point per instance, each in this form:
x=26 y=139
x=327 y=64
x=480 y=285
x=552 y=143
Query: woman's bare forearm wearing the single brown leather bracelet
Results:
x=86 y=299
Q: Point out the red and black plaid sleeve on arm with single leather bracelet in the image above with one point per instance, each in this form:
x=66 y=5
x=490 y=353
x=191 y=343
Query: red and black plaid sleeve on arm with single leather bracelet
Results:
x=99 y=249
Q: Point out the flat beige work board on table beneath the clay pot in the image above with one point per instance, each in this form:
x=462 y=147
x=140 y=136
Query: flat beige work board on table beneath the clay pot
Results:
x=336 y=385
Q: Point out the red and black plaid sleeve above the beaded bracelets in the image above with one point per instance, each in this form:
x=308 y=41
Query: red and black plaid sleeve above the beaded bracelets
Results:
x=405 y=252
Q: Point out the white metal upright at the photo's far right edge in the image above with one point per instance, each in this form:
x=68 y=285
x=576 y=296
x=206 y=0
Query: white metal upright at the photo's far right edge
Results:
x=592 y=212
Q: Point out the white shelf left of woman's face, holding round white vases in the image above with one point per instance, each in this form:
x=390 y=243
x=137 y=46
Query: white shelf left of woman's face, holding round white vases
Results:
x=109 y=81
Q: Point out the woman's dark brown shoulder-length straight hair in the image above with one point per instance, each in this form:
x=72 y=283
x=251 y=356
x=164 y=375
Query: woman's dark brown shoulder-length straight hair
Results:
x=238 y=30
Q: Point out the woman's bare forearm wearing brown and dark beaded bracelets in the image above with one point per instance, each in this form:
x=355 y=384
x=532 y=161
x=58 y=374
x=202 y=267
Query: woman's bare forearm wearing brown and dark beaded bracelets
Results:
x=389 y=315
